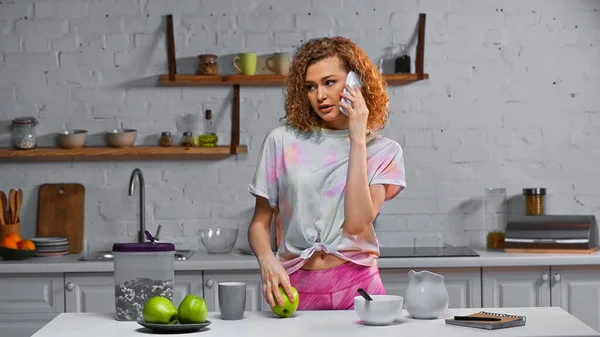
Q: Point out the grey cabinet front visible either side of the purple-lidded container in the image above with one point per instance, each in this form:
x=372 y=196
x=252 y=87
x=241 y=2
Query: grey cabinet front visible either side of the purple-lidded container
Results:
x=95 y=292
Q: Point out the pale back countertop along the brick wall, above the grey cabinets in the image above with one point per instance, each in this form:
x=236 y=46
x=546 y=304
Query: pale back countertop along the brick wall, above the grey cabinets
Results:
x=235 y=260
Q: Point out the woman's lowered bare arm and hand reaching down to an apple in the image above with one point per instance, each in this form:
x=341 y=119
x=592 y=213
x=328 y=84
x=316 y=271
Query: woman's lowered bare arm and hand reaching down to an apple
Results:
x=272 y=271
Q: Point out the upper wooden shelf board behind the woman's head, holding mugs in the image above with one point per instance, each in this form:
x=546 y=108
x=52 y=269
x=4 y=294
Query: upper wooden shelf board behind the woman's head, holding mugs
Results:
x=261 y=80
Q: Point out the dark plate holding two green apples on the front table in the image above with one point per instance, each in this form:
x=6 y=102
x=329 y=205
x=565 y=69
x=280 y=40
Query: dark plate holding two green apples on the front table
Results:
x=161 y=316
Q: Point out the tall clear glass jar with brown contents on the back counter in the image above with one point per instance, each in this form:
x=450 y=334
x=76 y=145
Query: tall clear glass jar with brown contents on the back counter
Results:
x=495 y=217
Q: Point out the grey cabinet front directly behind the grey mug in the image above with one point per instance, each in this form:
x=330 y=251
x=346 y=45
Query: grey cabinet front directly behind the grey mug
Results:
x=254 y=297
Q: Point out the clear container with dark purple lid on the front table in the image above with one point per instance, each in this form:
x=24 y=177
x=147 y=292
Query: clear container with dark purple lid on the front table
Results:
x=141 y=271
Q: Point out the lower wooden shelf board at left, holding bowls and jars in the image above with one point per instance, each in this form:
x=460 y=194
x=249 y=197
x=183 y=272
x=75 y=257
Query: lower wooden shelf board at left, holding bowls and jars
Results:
x=109 y=153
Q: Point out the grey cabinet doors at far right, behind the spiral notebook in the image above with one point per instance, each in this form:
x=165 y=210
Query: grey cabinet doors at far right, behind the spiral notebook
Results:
x=574 y=288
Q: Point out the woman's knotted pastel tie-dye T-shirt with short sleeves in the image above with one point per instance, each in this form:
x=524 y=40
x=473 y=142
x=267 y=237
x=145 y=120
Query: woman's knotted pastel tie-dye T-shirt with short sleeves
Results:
x=306 y=177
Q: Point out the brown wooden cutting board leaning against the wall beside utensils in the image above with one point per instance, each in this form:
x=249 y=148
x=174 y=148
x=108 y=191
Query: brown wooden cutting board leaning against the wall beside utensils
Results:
x=61 y=213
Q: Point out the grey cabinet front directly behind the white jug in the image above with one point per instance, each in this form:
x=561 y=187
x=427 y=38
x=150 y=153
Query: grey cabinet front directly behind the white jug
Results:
x=463 y=284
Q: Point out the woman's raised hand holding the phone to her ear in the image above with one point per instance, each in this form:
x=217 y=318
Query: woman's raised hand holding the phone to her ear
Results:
x=358 y=114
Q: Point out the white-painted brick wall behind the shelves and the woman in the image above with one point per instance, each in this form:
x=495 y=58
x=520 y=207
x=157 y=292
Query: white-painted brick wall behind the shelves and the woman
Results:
x=512 y=102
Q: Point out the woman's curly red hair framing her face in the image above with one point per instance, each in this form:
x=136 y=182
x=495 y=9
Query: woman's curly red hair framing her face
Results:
x=298 y=111
